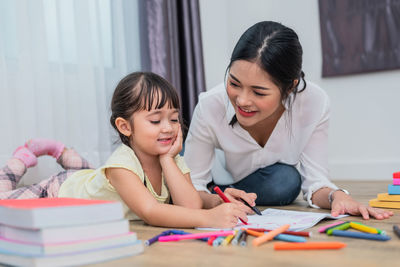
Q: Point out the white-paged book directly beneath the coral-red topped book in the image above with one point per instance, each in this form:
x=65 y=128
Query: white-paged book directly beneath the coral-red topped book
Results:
x=65 y=233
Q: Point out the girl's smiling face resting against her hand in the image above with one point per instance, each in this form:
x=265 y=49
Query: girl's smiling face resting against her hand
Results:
x=154 y=131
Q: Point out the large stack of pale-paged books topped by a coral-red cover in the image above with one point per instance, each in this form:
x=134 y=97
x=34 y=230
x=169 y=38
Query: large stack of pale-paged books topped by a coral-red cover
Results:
x=64 y=232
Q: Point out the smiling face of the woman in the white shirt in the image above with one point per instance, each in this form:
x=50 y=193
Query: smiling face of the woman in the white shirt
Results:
x=254 y=96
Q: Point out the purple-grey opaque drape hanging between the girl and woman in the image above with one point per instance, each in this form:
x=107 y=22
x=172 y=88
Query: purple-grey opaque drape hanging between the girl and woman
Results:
x=172 y=47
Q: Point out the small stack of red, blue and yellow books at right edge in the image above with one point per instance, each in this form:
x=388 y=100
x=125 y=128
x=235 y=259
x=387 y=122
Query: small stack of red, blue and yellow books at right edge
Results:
x=391 y=199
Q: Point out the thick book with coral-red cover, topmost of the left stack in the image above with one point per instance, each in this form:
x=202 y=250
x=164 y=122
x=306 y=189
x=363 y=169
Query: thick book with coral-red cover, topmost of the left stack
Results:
x=55 y=212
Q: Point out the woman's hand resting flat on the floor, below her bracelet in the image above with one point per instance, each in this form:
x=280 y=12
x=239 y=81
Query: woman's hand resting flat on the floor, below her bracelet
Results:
x=343 y=203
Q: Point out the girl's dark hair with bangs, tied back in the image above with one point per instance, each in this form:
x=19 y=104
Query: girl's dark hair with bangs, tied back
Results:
x=141 y=91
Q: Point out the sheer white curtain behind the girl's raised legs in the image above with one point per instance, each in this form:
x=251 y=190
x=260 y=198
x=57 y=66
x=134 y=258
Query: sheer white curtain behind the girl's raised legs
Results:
x=60 y=61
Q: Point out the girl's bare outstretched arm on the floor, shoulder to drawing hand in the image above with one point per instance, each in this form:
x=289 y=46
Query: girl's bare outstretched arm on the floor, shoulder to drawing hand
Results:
x=142 y=203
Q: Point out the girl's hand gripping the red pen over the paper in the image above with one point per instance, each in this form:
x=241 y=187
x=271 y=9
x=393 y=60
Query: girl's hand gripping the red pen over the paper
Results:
x=225 y=215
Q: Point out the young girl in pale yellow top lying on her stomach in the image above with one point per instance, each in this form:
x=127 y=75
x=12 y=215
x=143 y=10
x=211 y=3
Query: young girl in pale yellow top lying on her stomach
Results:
x=145 y=173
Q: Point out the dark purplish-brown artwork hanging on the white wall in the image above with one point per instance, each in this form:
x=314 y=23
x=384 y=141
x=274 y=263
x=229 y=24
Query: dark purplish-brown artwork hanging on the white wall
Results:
x=359 y=36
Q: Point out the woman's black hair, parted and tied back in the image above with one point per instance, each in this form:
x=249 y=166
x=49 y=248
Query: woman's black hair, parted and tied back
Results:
x=277 y=50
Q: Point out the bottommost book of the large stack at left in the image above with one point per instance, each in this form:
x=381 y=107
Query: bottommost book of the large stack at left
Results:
x=89 y=257
